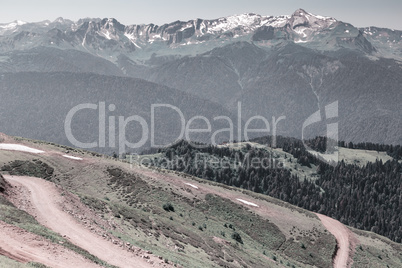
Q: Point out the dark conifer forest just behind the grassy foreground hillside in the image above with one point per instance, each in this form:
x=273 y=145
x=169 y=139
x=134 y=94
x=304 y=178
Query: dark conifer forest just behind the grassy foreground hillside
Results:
x=365 y=197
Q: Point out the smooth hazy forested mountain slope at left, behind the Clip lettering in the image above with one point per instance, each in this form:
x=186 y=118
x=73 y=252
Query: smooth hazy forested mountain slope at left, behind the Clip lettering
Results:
x=36 y=105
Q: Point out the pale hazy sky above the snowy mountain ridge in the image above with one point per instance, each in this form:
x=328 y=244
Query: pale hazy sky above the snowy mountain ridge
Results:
x=382 y=13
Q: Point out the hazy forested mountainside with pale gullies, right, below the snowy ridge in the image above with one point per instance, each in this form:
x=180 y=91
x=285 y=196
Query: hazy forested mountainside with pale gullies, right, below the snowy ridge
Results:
x=295 y=81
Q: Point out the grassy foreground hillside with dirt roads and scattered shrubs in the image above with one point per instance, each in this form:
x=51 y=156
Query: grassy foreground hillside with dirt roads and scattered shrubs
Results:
x=187 y=221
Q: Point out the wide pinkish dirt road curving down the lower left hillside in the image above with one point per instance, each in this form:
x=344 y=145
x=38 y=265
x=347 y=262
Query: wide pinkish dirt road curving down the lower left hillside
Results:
x=45 y=200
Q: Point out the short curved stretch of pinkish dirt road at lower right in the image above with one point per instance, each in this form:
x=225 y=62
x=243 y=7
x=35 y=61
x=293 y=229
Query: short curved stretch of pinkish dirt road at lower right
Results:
x=341 y=234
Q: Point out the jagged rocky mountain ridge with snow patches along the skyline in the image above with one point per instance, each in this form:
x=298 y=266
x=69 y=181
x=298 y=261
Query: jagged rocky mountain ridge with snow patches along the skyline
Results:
x=109 y=38
